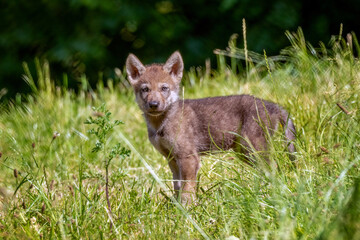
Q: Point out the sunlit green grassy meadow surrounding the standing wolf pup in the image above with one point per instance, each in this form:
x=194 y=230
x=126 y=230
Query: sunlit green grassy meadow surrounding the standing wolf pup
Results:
x=53 y=184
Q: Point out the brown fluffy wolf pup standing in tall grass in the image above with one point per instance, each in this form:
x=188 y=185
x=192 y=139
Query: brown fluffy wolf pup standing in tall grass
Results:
x=183 y=129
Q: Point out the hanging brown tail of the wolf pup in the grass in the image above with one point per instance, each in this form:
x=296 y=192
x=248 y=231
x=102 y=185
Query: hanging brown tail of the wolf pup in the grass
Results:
x=290 y=133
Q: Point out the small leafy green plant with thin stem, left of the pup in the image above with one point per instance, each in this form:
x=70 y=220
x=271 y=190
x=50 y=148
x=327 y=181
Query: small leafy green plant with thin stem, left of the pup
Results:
x=104 y=125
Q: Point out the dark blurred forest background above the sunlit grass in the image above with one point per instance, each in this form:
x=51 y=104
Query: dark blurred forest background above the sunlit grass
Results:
x=95 y=36
